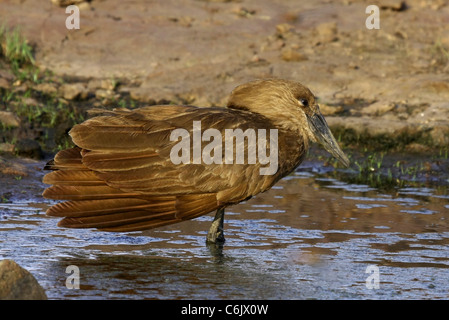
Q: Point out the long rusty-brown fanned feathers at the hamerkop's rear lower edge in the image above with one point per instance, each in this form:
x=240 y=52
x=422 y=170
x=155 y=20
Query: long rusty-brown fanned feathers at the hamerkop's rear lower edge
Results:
x=95 y=203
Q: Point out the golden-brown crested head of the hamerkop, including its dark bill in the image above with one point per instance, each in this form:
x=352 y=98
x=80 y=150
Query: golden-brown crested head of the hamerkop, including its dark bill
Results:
x=289 y=105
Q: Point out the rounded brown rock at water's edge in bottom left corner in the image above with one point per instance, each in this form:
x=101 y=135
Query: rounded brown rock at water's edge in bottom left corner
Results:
x=16 y=283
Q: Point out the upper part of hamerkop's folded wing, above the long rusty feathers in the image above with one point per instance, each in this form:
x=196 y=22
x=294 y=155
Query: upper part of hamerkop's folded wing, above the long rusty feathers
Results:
x=131 y=152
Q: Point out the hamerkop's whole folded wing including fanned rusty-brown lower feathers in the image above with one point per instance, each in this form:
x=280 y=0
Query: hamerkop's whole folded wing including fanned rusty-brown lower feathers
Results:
x=120 y=176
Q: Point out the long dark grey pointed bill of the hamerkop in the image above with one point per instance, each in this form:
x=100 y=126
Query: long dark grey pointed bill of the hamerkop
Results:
x=324 y=136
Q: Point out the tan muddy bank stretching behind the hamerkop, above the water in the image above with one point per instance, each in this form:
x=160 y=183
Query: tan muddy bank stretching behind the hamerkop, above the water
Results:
x=385 y=88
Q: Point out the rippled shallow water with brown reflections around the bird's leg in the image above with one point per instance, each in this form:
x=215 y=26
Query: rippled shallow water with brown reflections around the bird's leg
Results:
x=310 y=237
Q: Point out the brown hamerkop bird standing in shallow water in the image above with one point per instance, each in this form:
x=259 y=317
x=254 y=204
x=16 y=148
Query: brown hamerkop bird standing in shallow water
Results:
x=121 y=176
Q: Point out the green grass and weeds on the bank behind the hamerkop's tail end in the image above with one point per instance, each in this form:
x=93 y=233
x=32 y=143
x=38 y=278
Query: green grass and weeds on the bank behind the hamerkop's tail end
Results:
x=45 y=115
